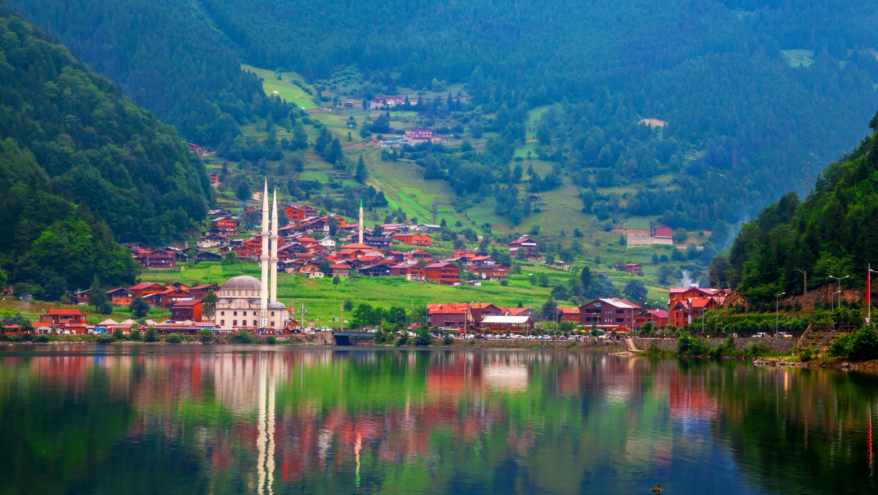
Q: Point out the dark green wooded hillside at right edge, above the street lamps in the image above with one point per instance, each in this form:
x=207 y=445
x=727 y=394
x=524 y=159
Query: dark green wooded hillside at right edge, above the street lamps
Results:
x=833 y=232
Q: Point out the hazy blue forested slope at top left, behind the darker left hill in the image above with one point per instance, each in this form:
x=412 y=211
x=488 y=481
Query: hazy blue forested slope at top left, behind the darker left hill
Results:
x=166 y=59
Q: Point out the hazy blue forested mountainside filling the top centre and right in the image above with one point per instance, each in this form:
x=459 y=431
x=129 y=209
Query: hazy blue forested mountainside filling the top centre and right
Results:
x=737 y=112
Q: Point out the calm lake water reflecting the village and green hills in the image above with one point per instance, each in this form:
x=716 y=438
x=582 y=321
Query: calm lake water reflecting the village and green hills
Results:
x=279 y=420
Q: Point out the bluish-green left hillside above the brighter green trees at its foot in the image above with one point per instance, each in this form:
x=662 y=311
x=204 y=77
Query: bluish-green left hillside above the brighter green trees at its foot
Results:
x=95 y=146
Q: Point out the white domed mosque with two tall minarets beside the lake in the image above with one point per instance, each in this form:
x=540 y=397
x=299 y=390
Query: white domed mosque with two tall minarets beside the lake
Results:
x=247 y=302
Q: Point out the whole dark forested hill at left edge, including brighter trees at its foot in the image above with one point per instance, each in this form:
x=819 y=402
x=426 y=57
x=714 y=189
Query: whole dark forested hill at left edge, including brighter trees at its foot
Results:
x=81 y=163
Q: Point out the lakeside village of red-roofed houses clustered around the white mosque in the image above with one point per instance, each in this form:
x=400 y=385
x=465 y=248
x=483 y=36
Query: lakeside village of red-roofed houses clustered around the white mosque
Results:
x=316 y=247
